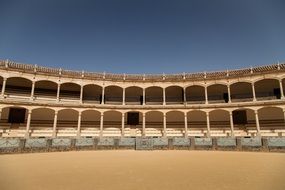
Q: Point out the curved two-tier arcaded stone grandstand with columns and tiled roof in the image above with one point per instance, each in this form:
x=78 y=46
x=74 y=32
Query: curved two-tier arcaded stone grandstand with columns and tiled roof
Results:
x=46 y=102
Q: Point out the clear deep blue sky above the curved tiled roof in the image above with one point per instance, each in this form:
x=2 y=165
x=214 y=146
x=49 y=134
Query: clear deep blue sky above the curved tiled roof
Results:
x=147 y=36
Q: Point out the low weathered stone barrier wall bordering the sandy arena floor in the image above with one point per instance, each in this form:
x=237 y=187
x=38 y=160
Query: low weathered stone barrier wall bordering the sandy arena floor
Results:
x=20 y=145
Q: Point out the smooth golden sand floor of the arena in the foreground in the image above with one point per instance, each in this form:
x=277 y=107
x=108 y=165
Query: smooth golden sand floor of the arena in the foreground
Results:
x=128 y=169
